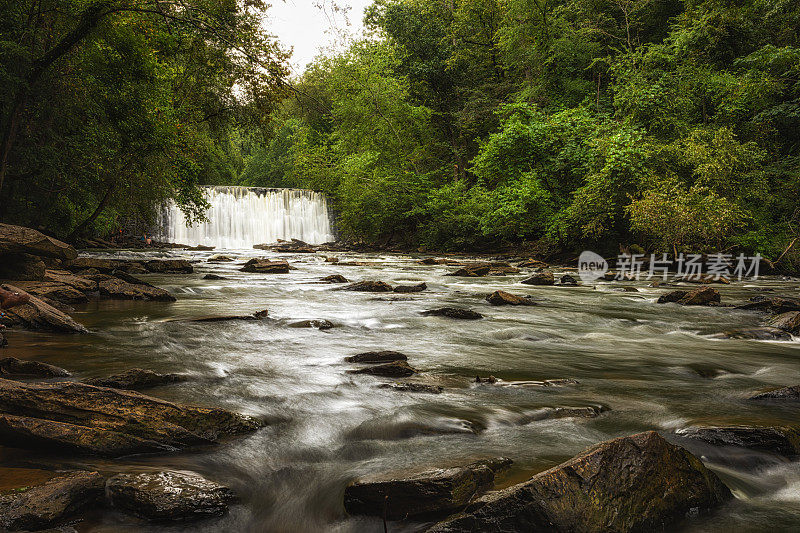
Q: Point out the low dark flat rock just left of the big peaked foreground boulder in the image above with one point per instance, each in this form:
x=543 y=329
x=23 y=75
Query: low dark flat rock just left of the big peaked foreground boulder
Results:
x=425 y=495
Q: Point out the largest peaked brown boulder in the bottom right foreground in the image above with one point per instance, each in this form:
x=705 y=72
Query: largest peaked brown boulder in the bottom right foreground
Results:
x=636 y=483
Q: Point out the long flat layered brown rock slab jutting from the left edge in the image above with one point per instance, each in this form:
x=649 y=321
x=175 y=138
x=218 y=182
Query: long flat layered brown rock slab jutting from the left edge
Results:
x=76 y=417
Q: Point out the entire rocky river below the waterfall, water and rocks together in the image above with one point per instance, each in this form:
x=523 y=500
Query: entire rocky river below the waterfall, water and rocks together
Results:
x=278 y=398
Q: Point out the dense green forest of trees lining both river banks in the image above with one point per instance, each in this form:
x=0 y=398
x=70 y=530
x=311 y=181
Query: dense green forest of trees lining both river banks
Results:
x=455 y=125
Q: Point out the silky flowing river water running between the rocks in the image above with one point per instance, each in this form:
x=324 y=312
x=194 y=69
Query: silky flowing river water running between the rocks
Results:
x=653 y=366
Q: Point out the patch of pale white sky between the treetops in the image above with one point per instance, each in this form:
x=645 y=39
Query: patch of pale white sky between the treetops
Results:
x=313 y=25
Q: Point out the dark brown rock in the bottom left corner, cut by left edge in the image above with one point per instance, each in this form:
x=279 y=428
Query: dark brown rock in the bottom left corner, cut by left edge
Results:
x=51 y=503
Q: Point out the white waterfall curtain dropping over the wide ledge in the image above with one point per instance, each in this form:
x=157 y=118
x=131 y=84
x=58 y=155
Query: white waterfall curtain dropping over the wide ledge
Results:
x=240 y=217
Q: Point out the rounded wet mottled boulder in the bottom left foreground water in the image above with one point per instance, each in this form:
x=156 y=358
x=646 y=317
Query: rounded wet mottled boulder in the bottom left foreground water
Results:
x=169 y=495
